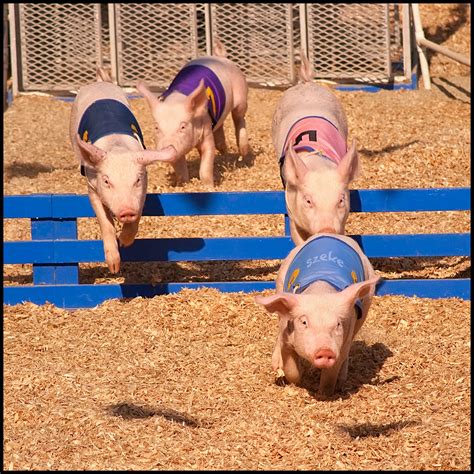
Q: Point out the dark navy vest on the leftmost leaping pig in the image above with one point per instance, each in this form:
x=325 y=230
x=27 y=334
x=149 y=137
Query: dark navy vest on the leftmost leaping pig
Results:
x=107 y=117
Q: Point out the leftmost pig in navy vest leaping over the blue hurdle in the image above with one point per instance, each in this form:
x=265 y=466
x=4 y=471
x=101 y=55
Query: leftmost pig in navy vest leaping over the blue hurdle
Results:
x=107 y=139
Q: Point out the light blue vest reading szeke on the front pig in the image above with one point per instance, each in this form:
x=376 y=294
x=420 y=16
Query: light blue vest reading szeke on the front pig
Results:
x=326 y=259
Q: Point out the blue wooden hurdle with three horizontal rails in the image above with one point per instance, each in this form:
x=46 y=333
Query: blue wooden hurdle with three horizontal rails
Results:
x=55 y=251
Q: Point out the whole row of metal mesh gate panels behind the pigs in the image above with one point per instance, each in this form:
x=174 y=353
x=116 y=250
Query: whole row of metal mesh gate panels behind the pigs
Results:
x=56 y=47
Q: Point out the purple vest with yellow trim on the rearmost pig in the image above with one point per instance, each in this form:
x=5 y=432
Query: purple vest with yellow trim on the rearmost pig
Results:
x=189 y=78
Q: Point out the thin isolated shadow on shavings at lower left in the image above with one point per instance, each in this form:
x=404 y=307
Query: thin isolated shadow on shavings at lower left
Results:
x=131 y=411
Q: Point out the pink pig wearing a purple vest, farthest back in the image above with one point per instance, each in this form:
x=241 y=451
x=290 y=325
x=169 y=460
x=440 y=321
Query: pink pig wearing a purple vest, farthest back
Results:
x=191 y=112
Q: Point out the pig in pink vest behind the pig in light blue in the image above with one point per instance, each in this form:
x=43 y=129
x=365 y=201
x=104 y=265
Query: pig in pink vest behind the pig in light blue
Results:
x=309 y=134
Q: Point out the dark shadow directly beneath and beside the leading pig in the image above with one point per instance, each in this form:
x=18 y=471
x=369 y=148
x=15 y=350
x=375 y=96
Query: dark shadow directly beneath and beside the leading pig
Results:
x=365 y=362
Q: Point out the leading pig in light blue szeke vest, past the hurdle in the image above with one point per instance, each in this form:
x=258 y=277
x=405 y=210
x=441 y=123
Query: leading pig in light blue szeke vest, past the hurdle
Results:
x=324 y=289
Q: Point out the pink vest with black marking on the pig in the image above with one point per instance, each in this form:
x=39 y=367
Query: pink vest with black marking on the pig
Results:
x=315 y=134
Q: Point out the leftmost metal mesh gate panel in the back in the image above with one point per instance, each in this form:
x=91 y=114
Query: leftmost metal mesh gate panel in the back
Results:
x=59 y=44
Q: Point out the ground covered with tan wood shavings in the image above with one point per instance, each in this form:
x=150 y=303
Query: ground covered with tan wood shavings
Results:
x=184 y=381
